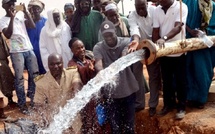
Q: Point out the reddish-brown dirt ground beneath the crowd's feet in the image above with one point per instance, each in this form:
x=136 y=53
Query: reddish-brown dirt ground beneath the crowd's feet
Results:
x=196 y=121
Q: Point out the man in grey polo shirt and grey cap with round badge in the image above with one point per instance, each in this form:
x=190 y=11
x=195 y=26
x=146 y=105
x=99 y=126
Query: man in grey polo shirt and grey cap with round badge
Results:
x=121 y=109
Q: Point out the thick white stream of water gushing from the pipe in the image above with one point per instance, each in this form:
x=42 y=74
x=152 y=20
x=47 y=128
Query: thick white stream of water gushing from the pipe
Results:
x=66 y=115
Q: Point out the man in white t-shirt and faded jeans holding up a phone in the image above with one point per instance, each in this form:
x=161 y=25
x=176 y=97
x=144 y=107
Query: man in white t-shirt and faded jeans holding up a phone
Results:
x=13 y=25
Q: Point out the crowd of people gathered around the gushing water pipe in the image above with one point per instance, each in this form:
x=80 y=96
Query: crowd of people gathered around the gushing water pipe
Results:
x=62 y=52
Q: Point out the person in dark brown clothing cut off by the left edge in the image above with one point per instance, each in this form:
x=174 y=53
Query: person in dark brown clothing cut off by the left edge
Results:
x=6 y=76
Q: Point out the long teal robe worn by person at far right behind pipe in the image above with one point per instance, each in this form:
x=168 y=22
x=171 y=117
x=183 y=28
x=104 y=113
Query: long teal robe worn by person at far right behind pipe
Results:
x=199 y=63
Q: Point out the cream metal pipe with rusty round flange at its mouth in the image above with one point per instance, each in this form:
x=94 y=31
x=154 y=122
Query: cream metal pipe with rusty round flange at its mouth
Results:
x=175 y=47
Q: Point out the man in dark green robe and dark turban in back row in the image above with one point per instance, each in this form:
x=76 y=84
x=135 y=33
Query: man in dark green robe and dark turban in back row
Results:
x=85 y=24
